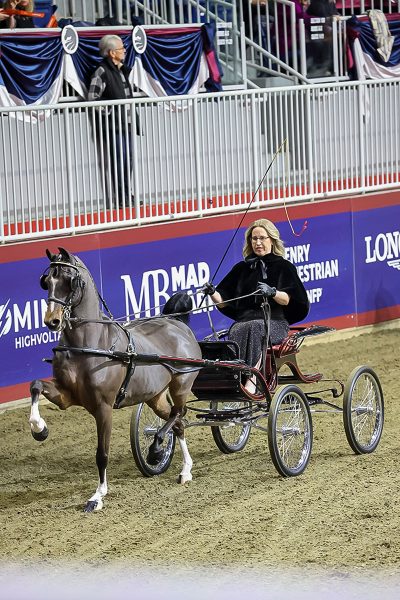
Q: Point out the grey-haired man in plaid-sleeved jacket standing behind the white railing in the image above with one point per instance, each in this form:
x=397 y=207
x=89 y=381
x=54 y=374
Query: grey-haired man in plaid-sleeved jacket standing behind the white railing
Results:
x=110 y=81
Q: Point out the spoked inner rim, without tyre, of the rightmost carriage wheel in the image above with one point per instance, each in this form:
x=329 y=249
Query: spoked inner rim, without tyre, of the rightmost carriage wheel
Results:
x=366 y=410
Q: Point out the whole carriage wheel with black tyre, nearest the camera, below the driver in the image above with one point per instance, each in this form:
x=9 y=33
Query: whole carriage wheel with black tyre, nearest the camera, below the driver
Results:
x=290 y=431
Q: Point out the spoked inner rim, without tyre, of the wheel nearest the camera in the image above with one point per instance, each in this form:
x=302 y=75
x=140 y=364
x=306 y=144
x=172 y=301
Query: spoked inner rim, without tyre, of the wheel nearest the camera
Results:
x=293 y=432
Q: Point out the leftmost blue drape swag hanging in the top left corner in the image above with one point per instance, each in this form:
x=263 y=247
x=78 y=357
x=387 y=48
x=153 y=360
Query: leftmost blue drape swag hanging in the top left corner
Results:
x=30 y=65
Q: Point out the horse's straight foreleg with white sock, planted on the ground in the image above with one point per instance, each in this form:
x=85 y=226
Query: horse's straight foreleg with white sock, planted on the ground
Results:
x=103 y=418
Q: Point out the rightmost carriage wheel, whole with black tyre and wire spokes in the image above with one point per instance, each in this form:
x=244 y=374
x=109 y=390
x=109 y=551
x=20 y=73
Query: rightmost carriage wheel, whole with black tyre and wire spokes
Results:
x=363 y=410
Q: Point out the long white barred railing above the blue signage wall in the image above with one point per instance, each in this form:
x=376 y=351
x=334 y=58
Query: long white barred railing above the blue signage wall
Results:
x=194 y=156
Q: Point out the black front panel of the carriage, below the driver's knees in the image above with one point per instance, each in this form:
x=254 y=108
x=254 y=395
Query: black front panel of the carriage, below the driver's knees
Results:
x=218 y=382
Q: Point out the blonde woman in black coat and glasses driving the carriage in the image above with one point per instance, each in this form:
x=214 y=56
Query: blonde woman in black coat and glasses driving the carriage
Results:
x=263 y=274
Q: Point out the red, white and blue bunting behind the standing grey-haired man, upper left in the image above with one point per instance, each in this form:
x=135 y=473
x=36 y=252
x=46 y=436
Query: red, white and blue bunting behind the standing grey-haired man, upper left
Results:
x=164 y=62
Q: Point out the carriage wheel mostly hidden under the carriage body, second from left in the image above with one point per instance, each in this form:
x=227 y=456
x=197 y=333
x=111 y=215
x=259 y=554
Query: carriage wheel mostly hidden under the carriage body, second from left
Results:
x=230 y=437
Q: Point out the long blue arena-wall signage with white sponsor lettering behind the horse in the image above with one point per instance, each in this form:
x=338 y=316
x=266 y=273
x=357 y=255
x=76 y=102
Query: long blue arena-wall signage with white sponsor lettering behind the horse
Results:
x=136 y=280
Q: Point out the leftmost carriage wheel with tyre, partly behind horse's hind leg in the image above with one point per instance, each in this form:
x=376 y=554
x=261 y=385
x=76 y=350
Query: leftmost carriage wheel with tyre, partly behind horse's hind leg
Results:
x=144 y=426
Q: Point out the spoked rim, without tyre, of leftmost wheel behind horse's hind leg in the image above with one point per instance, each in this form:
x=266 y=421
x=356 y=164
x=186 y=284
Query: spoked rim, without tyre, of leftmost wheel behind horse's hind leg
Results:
x=148 y=425
